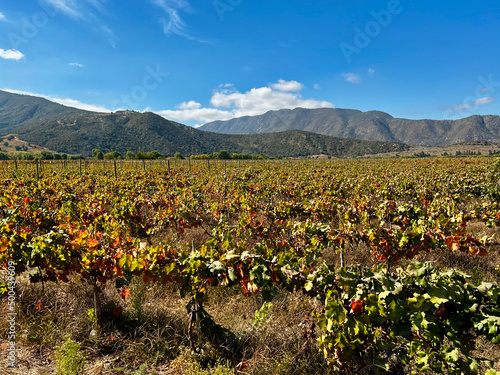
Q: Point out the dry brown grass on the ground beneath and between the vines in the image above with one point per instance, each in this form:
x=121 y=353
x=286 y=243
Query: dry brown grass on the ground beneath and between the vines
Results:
x=150 y=337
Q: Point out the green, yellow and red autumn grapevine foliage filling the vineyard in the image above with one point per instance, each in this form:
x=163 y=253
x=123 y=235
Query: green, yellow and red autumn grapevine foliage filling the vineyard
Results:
x=265 y=228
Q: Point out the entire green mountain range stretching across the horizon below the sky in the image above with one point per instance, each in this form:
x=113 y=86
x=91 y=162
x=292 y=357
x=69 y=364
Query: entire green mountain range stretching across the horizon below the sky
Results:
x=283 y=133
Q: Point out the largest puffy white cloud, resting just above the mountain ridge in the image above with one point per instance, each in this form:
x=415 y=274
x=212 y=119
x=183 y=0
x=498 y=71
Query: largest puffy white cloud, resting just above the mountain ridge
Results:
x=228 y=103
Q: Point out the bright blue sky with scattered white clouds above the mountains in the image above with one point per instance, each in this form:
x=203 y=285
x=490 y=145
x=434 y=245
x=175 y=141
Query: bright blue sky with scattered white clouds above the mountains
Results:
x=198 y=61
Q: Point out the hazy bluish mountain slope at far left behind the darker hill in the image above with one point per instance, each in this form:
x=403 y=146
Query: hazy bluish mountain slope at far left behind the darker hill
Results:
x=19 y=110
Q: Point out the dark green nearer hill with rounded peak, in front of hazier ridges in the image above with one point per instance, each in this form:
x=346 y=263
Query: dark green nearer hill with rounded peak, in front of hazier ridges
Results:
x=127 y=130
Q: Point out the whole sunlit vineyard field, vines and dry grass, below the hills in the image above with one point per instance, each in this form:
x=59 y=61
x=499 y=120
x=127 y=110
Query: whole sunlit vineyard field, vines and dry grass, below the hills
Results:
x=334 y=266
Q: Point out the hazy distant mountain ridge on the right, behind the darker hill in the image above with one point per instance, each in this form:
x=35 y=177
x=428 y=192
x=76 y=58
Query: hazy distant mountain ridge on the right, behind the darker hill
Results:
x=373 y=125
